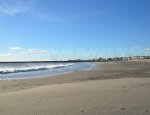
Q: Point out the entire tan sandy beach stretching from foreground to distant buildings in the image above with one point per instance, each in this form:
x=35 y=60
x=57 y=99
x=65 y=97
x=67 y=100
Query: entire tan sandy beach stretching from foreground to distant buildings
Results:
x=112 y=88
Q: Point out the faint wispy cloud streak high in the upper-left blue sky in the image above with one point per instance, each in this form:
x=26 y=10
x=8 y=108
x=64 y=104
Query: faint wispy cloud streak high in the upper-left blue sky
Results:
x=32 y=10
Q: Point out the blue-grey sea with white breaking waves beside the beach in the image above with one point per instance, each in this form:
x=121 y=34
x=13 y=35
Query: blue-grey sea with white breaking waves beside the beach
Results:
x=23 y=70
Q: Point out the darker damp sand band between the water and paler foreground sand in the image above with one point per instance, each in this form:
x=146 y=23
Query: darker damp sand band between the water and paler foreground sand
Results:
x=103 y=70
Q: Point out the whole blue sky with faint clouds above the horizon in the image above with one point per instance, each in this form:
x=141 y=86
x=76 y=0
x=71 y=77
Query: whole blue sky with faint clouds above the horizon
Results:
x=32 y=30
